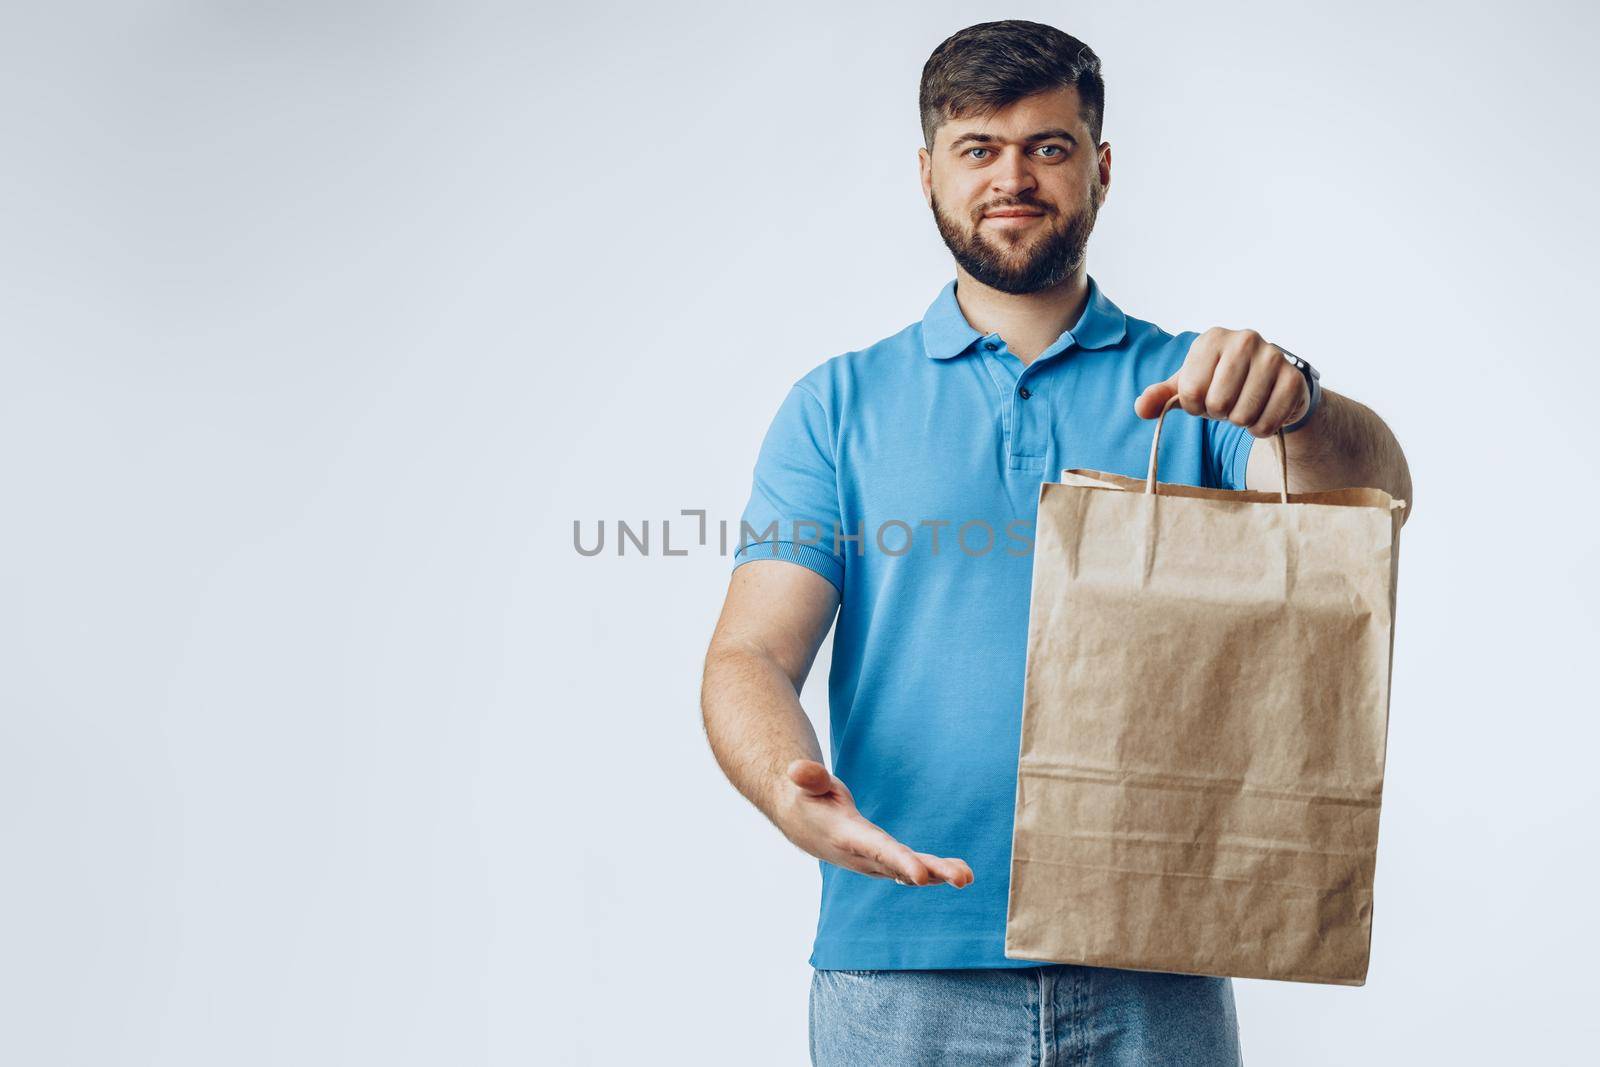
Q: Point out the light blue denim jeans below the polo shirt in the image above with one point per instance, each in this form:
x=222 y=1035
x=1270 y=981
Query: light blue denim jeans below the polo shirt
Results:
x=1038 y=1017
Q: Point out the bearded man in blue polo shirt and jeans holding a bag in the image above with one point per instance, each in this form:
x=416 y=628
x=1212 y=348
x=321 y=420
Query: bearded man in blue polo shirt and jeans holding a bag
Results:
x=897 y=490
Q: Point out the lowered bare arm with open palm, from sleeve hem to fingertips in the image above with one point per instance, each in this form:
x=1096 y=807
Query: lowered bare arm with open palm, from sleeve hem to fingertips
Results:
x=767 y=639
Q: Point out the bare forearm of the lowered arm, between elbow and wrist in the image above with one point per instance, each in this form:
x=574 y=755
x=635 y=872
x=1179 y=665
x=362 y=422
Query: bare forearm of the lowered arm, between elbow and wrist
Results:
x=756 y=725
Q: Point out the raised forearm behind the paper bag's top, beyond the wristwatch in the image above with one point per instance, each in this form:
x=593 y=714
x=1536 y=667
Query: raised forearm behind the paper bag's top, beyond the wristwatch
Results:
x=1346 y=446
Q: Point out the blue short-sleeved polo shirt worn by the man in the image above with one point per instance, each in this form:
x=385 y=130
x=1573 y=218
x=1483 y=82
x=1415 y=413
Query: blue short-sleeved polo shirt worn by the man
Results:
x=908 y=474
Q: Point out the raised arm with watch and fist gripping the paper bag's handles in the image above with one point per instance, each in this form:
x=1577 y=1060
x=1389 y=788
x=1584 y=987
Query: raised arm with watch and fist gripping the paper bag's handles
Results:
x=1238 y=377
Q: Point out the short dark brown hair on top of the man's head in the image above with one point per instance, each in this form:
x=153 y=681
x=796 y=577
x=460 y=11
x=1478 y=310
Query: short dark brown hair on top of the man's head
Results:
x=990 y=66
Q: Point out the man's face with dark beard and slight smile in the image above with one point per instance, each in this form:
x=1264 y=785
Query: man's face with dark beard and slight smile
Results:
x=1015 y=194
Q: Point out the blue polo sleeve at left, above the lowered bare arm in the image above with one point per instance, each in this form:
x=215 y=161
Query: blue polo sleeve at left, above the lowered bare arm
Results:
x=794 y=500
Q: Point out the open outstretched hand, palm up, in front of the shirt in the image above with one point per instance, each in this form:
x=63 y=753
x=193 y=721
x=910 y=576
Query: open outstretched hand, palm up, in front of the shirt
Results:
x=820 y=815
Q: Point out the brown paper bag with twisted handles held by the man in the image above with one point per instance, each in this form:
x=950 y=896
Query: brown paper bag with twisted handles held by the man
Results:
x=1204 y=727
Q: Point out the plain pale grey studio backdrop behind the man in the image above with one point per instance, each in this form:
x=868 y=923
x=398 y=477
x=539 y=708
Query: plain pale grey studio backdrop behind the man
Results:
x=324 y=322
